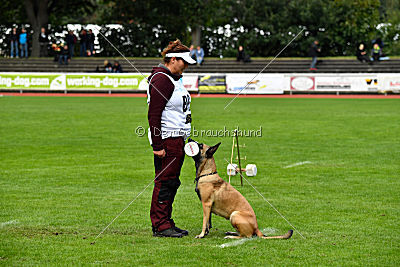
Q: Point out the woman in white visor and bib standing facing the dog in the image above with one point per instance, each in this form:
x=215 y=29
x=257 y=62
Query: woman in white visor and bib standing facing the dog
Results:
x=169 y=120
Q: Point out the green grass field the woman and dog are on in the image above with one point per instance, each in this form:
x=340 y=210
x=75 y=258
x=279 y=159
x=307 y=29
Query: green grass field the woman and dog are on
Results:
x=69 y=165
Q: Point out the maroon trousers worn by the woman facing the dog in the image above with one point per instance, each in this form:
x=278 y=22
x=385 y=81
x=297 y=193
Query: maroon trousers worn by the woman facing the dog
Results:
x=167 y=183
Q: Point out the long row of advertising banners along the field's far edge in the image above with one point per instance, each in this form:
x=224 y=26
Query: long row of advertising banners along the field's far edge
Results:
x=246 y=83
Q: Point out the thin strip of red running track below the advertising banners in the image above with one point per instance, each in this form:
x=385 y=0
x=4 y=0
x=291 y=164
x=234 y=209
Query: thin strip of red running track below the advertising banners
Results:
x=205 y=95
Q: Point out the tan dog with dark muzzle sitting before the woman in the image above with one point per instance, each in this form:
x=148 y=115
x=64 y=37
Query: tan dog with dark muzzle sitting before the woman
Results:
x=220 y=198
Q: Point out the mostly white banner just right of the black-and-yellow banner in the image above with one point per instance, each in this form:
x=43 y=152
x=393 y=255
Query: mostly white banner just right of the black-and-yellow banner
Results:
x=255 y=84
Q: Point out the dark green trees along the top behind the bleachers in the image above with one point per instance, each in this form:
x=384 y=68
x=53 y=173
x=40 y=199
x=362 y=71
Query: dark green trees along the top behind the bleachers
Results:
x=264 y=27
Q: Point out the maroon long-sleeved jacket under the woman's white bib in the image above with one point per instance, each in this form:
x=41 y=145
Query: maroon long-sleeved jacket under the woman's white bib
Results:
x=161 y=89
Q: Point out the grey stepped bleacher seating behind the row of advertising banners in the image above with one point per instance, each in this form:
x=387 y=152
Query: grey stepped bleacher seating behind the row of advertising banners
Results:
x=211 y=65
